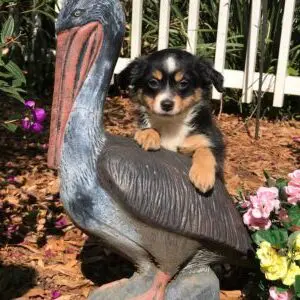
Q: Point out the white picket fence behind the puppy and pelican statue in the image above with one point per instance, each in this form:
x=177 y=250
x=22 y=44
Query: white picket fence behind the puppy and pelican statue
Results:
x=247 y=79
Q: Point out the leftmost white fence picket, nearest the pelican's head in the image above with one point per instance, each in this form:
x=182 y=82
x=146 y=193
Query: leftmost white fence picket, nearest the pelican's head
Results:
x=136 y=28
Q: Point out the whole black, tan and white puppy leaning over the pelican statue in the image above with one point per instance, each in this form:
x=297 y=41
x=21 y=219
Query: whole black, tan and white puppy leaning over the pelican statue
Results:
x=172 y=87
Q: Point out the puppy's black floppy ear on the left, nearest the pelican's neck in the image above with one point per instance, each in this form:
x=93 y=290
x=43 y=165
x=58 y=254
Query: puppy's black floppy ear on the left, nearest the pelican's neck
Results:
x=132 y=74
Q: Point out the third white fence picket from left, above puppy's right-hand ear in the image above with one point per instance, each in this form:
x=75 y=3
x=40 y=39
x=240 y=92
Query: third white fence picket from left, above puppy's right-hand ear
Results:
x=193 y=22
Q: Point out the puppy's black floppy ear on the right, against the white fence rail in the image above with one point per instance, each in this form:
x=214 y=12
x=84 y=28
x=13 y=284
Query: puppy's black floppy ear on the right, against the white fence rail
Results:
x=209 y=75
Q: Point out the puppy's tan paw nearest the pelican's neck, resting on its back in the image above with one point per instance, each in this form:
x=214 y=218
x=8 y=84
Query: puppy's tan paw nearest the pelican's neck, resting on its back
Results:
x=148 y=139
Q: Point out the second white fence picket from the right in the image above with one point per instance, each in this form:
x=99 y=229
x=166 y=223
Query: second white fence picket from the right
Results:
x=251 y=51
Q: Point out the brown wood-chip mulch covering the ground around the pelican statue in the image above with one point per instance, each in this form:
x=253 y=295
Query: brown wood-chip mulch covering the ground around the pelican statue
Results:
x=43 y=256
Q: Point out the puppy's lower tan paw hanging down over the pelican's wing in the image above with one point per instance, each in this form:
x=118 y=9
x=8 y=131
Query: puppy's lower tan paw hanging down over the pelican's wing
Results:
x=203 y=177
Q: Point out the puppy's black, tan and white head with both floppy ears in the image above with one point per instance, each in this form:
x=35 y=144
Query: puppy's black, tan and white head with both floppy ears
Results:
x=170 y=81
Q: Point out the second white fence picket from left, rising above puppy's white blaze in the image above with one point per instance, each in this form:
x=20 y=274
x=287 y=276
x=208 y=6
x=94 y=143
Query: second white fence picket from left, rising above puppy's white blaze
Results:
x=164 y=24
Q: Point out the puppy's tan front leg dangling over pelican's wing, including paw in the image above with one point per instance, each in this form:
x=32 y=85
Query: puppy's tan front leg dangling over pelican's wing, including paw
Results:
x=202 y=172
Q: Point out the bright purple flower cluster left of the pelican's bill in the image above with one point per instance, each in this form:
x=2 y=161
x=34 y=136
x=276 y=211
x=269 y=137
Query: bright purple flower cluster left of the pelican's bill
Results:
x=33 y=121
